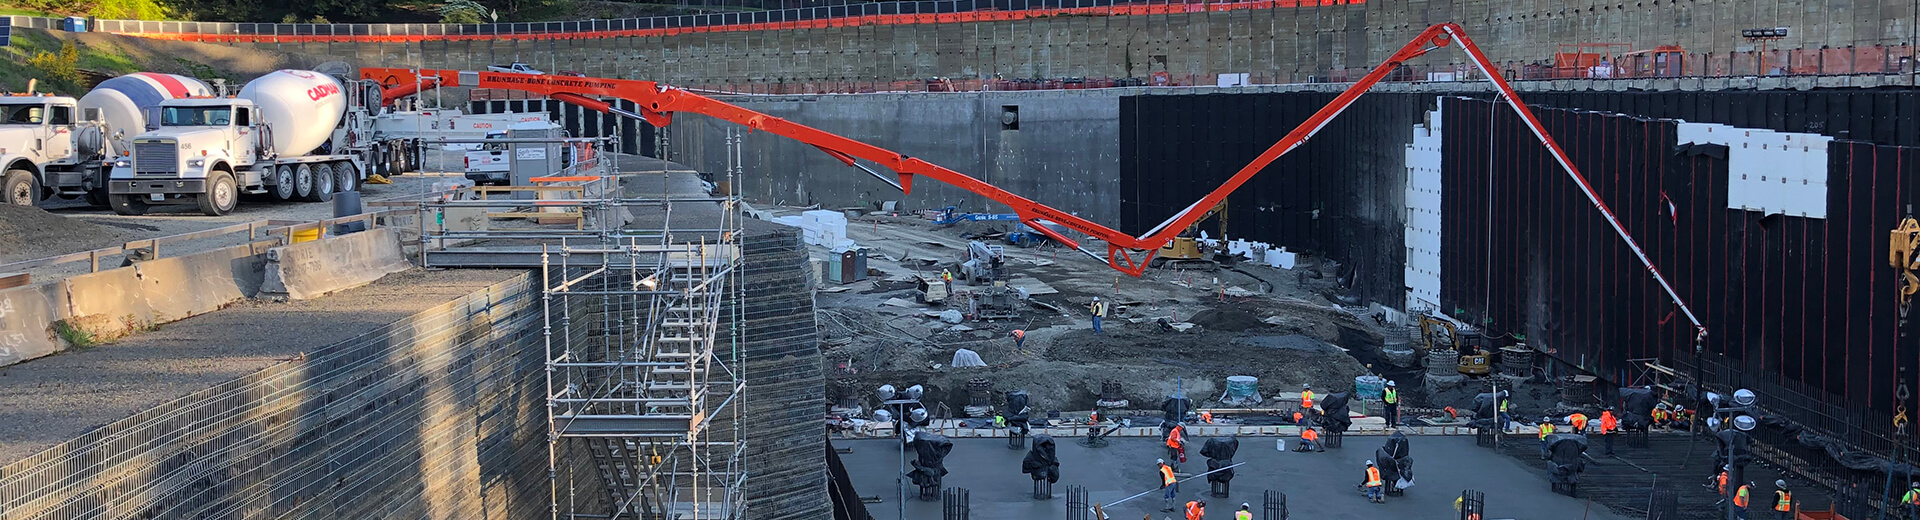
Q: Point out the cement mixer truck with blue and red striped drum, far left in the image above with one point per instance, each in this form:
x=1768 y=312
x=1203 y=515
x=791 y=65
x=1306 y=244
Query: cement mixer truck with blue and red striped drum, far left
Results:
x=59 y=147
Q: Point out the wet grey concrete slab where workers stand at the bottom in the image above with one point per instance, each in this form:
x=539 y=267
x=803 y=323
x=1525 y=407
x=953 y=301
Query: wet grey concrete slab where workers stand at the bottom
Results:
x=1318 y=486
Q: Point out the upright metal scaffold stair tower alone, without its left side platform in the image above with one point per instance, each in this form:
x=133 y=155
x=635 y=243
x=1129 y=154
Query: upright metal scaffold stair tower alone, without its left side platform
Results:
x=644 y=385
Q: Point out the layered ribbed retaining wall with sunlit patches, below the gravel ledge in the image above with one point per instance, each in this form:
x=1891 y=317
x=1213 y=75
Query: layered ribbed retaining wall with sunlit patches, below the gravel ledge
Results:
x=439 y=415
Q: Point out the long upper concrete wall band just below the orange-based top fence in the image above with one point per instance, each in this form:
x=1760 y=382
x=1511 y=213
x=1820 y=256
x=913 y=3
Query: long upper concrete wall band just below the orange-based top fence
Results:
x=1282 y=41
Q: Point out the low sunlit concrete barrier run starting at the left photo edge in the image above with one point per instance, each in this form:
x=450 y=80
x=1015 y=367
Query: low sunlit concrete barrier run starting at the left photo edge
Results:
x=110 y=304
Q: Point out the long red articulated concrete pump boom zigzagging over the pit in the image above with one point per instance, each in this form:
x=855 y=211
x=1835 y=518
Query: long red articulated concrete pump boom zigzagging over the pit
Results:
x=1128 y=254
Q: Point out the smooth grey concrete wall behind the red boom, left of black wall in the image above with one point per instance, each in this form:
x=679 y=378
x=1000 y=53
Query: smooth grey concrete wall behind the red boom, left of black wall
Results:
x=1065 y=151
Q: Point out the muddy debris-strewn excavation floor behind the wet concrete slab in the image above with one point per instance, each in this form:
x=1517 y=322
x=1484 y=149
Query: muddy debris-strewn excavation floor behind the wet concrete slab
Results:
x=1287 y=337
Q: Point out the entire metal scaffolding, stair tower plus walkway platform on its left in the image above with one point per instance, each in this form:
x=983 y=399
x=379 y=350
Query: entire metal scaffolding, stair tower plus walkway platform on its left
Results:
x=642 y=333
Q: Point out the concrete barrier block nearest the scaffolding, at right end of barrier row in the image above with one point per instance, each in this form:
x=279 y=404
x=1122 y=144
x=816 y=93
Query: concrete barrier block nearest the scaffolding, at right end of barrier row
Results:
x=314 y=270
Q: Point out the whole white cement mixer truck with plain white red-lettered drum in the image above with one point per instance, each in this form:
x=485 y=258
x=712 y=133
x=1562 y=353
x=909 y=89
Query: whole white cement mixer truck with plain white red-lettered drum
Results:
x=291 y=135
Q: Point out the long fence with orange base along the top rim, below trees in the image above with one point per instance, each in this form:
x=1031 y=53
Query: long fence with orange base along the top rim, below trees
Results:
x=665 y=26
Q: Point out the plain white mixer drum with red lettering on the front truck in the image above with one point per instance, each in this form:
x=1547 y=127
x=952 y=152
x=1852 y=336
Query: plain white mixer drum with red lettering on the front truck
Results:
x=300 y=106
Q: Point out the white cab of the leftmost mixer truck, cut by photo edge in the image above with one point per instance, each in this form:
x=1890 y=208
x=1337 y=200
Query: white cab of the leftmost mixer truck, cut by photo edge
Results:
x=45 y=145
